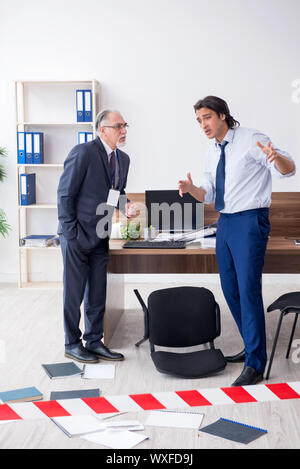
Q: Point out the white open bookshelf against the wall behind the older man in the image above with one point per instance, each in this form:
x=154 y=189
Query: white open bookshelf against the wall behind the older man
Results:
x=48 y=107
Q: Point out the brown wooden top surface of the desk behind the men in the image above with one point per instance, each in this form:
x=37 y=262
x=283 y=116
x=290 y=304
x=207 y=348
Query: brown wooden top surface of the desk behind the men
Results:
x=277 y=245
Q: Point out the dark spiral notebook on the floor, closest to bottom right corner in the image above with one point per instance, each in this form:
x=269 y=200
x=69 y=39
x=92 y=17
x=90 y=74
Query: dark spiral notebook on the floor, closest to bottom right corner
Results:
x=234 y=431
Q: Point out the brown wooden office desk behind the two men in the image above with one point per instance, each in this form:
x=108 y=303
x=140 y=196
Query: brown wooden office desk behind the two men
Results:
x=282 y=256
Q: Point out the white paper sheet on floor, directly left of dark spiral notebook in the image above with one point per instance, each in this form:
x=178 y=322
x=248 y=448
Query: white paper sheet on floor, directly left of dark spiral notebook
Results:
x=170 y=418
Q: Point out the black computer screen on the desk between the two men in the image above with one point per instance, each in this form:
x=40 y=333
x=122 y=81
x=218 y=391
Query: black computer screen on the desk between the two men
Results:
x=168 y=211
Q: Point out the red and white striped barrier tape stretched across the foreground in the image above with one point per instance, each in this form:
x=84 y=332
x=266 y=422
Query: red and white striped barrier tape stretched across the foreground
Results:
x=150 y=401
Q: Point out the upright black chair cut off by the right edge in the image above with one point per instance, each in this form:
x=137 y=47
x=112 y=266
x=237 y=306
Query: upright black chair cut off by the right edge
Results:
x=287 y=303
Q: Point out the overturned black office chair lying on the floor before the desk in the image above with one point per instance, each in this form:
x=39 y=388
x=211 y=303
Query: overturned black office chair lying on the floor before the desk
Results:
x=183 y=317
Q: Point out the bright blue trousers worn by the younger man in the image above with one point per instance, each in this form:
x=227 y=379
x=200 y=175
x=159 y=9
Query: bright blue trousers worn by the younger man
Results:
x=240 y=248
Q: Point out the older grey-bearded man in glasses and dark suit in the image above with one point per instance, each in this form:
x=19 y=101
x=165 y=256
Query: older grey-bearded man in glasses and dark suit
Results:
x=93 y=171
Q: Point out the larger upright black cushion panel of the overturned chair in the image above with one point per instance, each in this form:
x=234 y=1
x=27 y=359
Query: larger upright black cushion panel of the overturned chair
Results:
x=183 y=317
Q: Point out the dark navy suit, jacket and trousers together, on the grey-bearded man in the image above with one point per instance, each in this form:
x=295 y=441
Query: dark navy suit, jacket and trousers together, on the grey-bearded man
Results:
x=84 y=184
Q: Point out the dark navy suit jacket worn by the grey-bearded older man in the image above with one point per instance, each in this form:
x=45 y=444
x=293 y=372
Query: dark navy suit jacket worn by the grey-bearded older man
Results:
x=84 y=184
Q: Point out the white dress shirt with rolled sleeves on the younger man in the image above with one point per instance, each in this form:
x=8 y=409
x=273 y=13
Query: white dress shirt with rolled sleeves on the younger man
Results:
x=248 y=172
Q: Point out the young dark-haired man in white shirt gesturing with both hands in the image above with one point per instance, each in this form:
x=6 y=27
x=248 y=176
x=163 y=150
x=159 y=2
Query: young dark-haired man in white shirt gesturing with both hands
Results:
x=238 y=178
